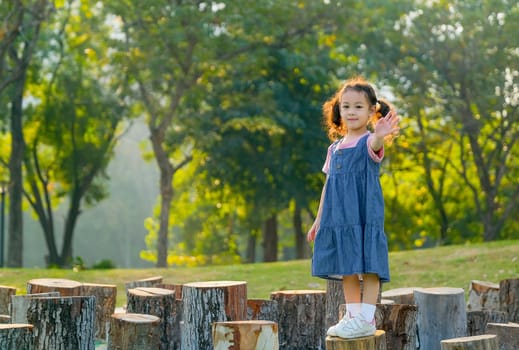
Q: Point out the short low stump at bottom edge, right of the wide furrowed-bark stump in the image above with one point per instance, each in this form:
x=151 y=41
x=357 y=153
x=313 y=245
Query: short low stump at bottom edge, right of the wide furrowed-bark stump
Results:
x=134 y=332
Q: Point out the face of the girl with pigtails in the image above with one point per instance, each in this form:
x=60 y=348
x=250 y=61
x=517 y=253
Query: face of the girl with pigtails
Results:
x=355 y=111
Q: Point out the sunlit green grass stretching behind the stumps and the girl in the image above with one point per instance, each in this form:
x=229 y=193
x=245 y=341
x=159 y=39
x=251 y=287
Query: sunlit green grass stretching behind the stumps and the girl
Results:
x=452 y=266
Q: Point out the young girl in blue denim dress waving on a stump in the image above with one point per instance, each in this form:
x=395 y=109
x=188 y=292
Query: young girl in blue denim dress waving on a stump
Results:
x=350 y=243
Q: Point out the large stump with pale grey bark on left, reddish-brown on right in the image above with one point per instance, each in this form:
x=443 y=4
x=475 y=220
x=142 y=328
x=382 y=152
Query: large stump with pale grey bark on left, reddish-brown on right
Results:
x=208 y=302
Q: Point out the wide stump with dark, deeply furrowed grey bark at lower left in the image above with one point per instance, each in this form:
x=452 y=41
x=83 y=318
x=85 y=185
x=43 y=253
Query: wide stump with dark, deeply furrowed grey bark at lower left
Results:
x=63 y=322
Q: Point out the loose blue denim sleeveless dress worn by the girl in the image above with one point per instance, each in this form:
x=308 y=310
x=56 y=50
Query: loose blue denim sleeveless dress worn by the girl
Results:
x=351 y=238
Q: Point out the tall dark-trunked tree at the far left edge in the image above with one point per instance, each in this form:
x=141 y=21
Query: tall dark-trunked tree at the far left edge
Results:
x=19 y=37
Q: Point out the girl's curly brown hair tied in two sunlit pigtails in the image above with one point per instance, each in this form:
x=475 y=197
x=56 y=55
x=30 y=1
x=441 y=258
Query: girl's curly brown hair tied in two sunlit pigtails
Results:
x=331 y=108
